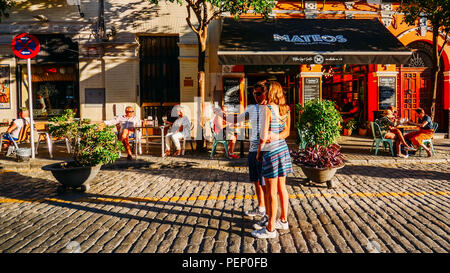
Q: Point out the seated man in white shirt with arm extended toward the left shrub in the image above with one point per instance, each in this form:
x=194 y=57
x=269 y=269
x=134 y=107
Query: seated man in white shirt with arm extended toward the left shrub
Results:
x=127 y=123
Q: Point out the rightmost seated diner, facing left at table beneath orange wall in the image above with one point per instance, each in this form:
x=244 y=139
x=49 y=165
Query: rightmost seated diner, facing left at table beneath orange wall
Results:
x=425 y=131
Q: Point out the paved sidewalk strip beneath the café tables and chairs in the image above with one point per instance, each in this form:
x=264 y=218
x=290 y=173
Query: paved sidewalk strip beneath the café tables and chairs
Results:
x=356 y=151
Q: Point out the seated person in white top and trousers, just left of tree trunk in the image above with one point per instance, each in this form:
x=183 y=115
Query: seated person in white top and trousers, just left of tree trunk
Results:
x=181 y=128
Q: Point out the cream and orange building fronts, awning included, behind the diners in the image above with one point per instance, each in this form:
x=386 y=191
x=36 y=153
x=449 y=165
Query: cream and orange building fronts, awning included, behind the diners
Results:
x=100 y=56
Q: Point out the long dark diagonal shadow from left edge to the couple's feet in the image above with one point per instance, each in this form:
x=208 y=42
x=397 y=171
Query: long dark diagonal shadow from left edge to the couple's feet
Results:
x=17 y=186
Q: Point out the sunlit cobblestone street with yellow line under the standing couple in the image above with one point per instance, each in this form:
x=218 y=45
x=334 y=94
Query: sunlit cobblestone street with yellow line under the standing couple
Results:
x=197 y=206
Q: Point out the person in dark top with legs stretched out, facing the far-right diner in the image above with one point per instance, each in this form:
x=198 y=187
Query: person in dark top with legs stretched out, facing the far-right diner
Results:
x=388 y=124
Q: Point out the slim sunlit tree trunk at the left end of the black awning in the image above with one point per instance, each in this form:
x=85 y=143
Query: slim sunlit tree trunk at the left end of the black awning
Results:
x=202 y=80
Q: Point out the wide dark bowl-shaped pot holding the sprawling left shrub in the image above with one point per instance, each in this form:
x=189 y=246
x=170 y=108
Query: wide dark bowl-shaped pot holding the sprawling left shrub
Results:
x=73 y=177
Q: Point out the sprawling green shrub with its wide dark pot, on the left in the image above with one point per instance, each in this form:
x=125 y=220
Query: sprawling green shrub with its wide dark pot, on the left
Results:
x=91 y=148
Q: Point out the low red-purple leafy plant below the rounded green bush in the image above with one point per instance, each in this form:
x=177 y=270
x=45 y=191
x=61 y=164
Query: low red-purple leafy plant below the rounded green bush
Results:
x=319 y=157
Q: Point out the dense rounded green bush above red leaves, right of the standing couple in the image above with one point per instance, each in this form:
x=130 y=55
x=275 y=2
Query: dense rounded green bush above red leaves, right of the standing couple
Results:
x=318 y=120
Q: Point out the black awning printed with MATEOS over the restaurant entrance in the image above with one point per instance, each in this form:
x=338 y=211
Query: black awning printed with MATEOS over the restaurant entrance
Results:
x=309 y=41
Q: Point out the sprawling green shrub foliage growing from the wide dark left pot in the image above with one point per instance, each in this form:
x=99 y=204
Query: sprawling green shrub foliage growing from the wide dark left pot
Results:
x=91 y=146
